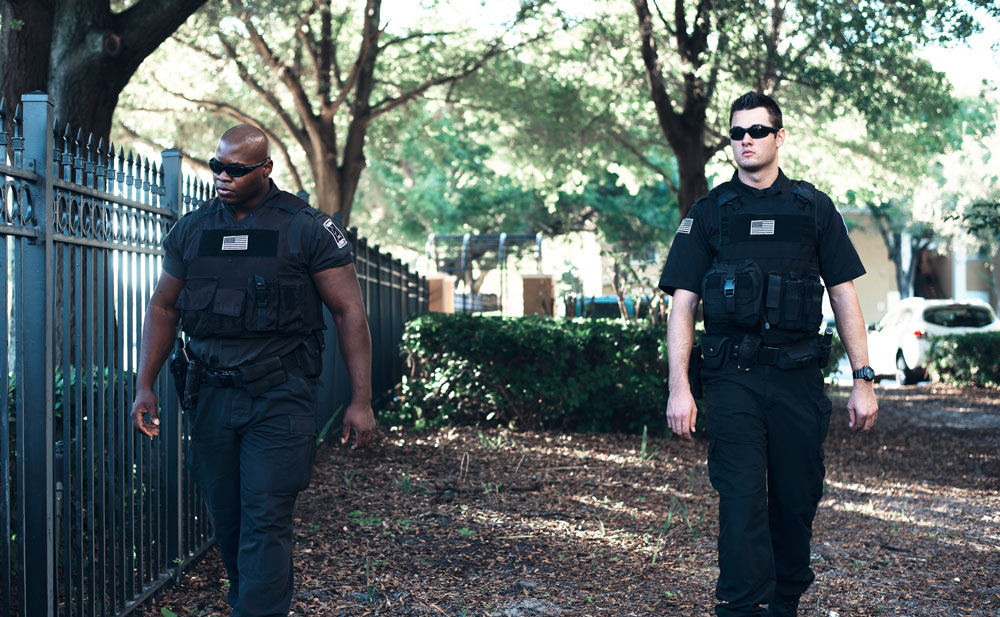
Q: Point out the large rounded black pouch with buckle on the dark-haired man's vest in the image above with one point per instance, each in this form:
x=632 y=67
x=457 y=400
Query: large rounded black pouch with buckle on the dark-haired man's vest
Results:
x=732 y=292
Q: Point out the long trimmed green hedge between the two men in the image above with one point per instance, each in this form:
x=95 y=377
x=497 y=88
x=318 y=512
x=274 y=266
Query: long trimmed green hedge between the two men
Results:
x=589 y=375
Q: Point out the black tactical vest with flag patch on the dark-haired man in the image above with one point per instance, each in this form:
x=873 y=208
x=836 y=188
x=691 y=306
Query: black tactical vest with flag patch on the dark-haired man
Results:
x=765 y=277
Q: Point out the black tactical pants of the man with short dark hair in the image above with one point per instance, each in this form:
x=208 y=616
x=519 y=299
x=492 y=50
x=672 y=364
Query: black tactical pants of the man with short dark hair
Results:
x=766 y=429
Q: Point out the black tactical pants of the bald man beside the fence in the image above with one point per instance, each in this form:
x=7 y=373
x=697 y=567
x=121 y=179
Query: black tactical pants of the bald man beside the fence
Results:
x=251 y=457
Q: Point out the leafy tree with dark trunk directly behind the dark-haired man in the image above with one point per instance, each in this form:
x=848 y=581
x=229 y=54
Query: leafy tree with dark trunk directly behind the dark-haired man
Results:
x=823 y=58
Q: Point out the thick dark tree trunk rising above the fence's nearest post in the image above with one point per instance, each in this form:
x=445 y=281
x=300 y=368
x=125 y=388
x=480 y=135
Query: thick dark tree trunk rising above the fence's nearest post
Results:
x=82 y=52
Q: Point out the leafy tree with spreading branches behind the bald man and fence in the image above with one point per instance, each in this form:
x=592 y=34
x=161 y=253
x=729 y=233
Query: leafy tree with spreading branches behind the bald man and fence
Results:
x=327 y=72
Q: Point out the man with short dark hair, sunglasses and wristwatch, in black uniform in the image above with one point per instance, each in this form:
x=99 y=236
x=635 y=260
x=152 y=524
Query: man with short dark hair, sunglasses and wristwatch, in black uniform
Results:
x=757 y=250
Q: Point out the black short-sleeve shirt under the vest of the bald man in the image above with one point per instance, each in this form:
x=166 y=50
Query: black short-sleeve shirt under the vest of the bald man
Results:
x=320 y=243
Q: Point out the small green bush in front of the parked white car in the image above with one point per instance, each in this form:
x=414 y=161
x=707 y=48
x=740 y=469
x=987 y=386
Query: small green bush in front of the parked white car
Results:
x=966 y=359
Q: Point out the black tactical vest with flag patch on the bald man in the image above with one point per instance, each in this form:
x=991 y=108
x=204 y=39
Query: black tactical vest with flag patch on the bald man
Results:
x=249 y=281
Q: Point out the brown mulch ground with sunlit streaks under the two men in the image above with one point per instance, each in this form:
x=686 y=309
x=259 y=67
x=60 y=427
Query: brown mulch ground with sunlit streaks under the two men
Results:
x=462 y=522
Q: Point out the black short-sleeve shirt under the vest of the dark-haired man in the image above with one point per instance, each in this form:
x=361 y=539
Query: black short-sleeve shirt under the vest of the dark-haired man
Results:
x=697 y=238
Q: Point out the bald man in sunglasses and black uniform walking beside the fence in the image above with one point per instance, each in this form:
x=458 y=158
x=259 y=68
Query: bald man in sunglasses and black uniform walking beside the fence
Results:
x=246 y=276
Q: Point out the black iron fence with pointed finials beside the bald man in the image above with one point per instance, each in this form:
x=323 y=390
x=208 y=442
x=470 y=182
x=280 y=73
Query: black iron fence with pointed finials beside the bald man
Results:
x=95 y=519
